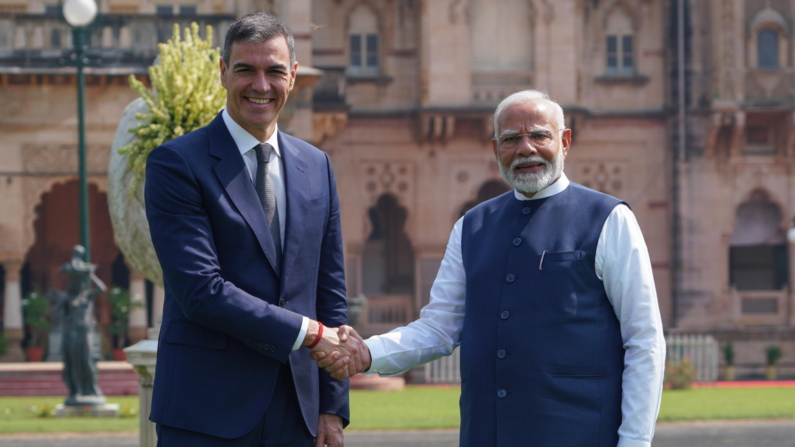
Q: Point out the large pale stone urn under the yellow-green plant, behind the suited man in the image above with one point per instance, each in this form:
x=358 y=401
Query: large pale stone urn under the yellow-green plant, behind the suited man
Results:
x=128 y=216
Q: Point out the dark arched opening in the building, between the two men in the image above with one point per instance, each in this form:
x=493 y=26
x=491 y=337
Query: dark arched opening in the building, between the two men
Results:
x=388 y=256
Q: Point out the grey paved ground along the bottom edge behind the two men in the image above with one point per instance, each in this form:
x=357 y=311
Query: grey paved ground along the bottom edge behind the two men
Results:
x=698 y=434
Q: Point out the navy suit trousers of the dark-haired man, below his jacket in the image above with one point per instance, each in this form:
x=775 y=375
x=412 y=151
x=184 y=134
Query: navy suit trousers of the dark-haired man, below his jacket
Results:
x=282 y=425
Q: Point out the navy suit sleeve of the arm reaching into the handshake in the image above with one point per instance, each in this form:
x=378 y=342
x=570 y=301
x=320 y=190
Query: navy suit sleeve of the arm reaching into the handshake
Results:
x=183 y=239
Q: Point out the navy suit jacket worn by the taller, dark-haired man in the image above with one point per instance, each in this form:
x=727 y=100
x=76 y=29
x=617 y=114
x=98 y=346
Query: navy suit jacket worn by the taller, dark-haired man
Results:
x=224 y=332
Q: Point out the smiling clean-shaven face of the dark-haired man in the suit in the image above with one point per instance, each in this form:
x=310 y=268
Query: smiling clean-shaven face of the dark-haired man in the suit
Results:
x=257 y=81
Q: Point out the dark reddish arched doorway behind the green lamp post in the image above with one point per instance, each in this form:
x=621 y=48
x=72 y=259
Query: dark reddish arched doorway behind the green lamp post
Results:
x=57 y=231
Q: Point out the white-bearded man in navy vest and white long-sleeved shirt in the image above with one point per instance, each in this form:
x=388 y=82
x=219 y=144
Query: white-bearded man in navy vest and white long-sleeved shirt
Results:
x=548 y=289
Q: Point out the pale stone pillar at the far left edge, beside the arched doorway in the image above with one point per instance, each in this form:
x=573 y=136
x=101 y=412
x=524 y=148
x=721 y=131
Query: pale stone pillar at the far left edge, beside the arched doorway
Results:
x=12 y=312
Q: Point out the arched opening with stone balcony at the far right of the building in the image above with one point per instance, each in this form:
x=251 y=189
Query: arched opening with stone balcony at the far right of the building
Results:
x=758 y=247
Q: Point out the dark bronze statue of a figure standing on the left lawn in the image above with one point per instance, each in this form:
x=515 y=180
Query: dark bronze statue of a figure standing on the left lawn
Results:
x=80 y=342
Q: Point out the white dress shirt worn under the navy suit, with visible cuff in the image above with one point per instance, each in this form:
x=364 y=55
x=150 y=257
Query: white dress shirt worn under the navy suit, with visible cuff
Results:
x=245 y=144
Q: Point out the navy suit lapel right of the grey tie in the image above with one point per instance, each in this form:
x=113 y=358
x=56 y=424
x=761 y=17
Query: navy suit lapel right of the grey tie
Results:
x=296 y=181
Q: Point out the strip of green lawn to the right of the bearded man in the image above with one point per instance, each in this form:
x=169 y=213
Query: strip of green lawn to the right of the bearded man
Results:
x=727 y=403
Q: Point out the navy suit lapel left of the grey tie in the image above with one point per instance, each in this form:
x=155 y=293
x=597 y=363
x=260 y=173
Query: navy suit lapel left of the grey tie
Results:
x=232 y=172
